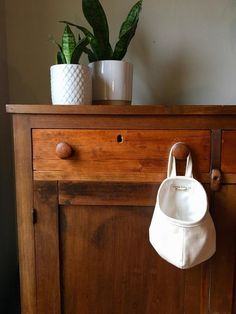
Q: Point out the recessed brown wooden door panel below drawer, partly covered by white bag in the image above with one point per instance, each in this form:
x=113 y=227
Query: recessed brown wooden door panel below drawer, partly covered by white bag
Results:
x=108 y=266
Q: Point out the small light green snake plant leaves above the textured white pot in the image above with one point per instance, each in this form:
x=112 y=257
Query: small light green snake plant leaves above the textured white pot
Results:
x=70 y=50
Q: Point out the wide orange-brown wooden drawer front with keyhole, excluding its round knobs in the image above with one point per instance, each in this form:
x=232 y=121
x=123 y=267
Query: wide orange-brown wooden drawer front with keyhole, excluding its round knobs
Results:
x=114 y=155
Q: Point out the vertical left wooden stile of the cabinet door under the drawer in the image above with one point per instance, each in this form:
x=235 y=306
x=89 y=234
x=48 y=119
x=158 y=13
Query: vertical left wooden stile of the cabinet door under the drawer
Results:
x=47 y=248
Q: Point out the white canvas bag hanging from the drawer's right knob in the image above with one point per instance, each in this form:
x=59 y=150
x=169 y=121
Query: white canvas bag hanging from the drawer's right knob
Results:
x=182 y=231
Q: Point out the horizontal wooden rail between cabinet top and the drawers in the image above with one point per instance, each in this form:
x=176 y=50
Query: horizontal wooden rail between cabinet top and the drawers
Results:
x=138 y=122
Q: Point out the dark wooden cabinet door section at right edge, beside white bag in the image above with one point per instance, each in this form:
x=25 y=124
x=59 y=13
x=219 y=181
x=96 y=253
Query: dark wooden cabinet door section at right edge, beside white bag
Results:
x=223 y=284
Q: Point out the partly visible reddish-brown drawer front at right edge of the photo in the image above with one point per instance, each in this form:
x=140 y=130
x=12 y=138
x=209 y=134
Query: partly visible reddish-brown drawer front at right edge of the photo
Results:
x=228 y=164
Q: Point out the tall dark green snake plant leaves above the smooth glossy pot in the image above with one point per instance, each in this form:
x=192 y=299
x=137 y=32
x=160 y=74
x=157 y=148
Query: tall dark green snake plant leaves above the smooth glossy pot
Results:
x=99 y=37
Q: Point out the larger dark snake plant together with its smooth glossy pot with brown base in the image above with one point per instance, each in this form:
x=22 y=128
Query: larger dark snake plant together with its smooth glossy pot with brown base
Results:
x=112 y=77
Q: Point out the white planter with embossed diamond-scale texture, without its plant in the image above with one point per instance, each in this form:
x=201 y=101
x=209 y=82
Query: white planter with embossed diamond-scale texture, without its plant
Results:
x=71 y=84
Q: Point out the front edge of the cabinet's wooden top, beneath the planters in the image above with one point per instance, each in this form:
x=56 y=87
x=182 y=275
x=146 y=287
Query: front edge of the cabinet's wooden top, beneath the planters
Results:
x=124 y=110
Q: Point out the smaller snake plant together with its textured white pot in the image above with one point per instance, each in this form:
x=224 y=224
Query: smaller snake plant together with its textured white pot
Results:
x=71 y=82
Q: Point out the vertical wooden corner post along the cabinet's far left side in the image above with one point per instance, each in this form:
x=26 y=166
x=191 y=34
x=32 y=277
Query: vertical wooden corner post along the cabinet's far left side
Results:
x=23 y=173
